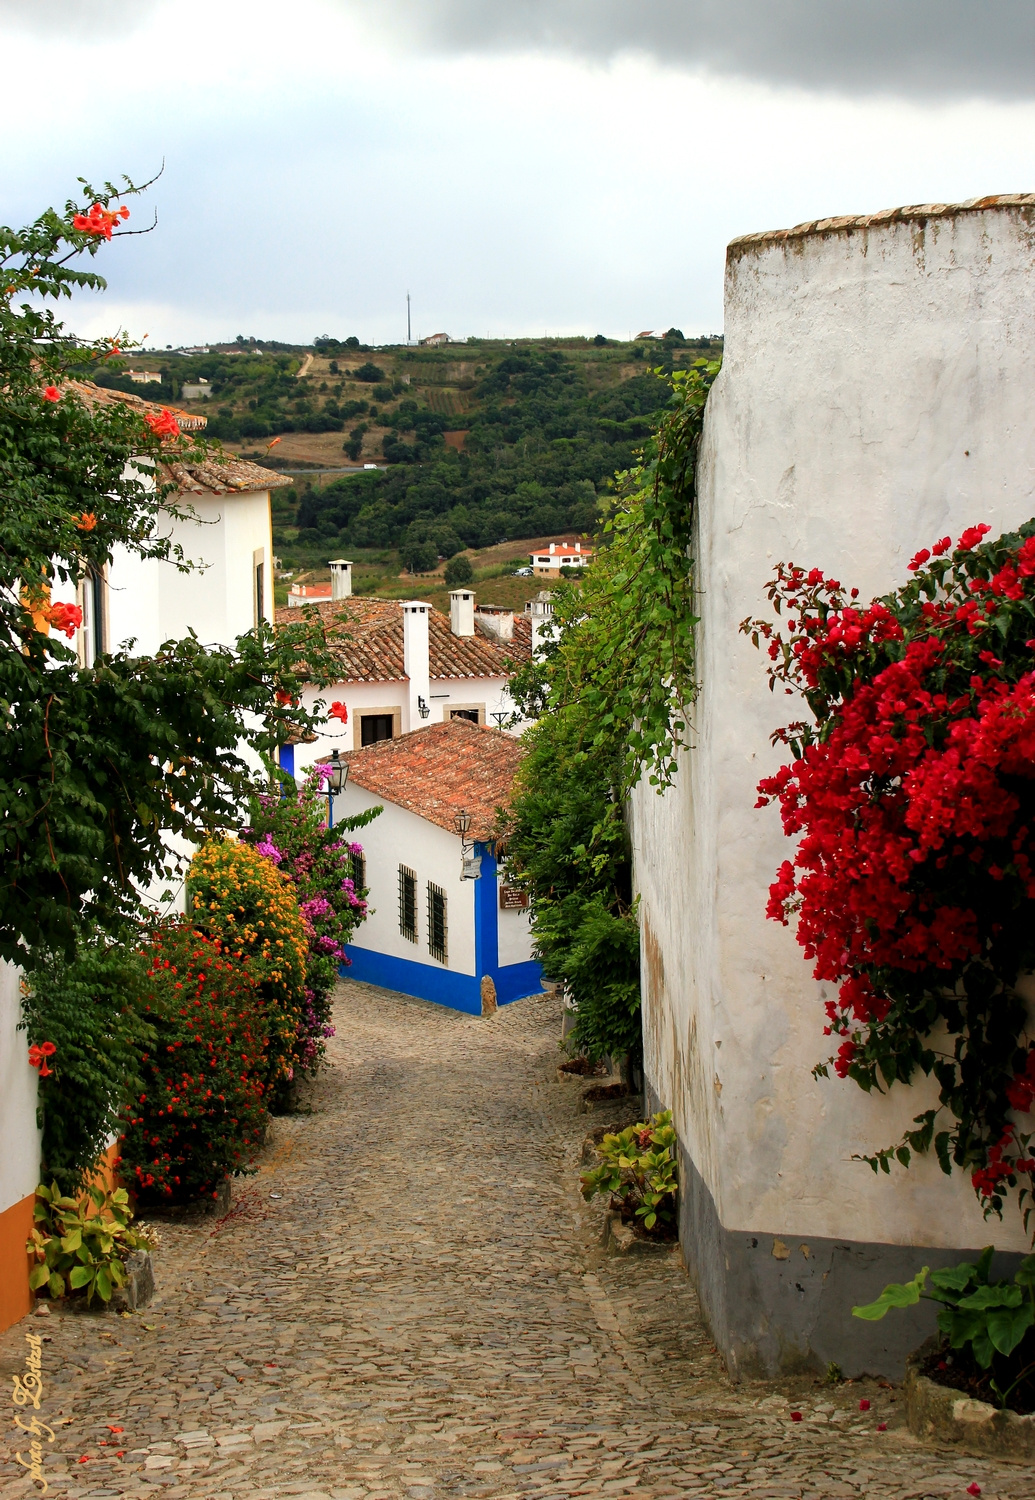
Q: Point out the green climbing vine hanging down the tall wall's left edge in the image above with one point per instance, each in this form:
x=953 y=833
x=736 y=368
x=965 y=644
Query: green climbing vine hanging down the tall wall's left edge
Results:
x=611 y=695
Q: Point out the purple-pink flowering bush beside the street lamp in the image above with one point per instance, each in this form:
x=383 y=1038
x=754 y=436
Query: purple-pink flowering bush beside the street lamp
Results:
x=322 y=863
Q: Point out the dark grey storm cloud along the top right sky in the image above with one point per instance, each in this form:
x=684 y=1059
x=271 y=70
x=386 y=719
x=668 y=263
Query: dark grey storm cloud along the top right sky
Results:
x=910 y=49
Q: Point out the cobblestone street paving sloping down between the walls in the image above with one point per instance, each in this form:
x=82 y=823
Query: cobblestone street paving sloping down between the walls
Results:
x=410 y=1301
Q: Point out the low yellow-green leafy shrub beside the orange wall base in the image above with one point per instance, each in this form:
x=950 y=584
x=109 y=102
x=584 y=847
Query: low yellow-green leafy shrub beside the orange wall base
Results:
x=79 y=1244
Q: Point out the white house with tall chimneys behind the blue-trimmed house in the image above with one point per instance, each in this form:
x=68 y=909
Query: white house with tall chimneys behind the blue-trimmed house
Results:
x=406 y=665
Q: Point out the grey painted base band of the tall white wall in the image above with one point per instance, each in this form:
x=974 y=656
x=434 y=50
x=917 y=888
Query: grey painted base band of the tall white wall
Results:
x=781 y=1306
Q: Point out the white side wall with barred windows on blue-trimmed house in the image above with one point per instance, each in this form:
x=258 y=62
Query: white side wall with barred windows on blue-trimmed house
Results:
x=400 y=838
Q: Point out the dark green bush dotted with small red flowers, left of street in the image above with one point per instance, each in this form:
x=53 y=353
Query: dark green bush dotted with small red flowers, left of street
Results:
x=200 y=1114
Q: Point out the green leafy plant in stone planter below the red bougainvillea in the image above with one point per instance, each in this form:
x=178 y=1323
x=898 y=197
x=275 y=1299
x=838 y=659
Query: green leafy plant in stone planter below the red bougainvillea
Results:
x=989 y=1328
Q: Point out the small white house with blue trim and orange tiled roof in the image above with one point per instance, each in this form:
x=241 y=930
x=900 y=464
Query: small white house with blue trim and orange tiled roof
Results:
x=443 y=925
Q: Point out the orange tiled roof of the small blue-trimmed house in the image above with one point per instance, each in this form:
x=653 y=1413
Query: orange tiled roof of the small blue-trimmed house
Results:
x=443 y=770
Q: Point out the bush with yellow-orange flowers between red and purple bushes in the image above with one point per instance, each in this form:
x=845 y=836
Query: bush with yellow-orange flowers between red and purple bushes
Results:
x=244 y=902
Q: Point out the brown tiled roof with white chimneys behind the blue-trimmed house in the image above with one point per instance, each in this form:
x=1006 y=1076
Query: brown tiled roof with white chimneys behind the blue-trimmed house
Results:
x=370 y=643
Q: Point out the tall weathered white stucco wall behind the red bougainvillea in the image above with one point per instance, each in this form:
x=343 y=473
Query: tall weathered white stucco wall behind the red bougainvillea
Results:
x=877 y=394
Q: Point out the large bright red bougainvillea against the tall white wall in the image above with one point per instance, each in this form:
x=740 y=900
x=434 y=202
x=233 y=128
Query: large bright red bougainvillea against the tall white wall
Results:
x=914 y=796
